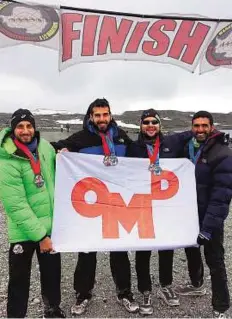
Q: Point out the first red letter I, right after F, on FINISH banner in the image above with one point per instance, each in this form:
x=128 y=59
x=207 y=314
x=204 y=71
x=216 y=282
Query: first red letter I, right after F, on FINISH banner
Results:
x=89 y=35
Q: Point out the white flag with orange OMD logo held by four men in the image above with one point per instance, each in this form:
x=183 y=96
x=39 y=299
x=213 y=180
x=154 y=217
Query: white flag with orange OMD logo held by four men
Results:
x=123 y=207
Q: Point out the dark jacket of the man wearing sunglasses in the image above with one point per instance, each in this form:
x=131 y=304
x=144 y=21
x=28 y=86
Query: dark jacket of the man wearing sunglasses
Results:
x=170 y=146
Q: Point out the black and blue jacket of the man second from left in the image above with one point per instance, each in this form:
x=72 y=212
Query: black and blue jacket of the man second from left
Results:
x=88 y=140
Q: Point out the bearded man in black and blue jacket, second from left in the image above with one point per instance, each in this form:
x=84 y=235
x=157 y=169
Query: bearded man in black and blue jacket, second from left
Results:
x=100 y=136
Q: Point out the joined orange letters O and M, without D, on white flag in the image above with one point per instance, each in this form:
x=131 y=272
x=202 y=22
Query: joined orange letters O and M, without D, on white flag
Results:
x=113 y=209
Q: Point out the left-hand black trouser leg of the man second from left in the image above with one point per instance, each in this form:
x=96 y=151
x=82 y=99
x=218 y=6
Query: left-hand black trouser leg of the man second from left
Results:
x=84 y=276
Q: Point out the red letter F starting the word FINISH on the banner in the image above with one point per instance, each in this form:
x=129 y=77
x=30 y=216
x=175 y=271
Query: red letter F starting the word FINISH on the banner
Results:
x=68 y=34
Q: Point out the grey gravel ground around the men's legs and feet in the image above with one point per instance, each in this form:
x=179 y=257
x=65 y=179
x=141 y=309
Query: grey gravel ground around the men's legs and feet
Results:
x=104 y=300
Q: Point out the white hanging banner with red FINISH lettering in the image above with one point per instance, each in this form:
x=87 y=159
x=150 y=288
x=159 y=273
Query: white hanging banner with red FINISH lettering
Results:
x=89 y=37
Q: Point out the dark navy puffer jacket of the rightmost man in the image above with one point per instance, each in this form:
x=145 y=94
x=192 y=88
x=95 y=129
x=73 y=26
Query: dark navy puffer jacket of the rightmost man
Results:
x=214 y=182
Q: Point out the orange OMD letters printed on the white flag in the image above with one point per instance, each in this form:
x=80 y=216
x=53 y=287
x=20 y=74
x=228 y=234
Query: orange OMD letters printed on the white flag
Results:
x=113 y=209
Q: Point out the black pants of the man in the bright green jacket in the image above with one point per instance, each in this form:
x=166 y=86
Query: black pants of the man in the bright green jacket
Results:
x=20 y=258
